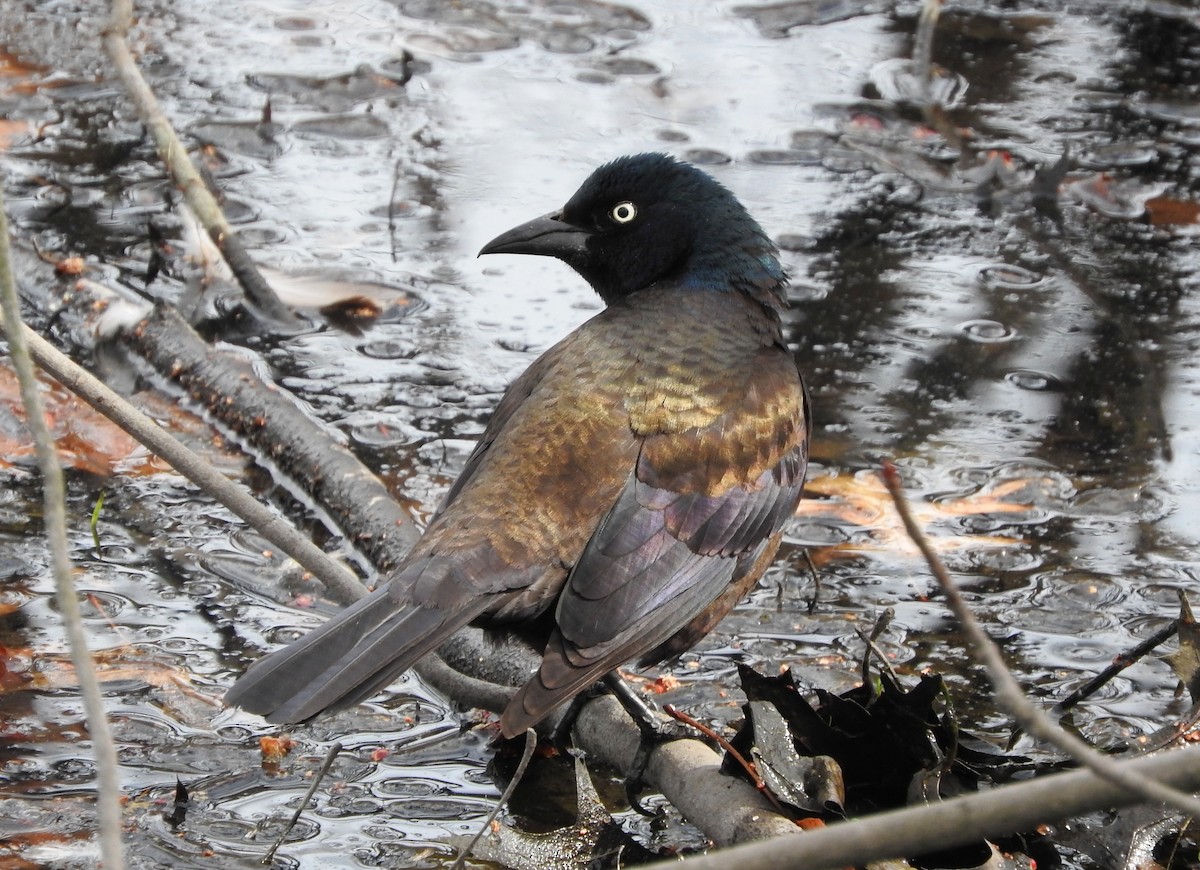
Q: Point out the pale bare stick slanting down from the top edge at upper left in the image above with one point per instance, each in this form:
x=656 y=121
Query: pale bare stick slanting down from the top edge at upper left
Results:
x=190 y=182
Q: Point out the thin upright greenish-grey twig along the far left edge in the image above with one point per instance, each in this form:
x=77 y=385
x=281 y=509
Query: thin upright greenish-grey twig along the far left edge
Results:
x=109 y=783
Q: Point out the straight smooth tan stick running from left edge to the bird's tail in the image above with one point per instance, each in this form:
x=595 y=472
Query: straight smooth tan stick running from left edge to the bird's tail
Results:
x=273 y=527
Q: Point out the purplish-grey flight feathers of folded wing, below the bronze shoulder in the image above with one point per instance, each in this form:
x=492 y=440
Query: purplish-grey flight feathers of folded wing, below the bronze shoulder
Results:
x=653 y=572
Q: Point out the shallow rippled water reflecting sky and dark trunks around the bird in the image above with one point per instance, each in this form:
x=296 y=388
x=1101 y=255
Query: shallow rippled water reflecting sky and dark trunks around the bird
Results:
x=1031 y=374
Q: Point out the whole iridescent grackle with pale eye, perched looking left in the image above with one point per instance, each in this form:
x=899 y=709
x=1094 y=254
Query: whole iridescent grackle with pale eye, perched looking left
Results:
x=634 y=482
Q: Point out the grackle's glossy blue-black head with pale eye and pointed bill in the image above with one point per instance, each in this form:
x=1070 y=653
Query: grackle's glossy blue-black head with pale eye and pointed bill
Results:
x=650 y=219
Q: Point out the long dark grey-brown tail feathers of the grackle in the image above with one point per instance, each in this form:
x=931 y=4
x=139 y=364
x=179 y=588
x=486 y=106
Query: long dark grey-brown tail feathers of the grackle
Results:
x=350 y=658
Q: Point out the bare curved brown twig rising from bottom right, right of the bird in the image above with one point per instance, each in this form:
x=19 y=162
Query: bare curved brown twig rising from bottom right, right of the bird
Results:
x=1009 y=692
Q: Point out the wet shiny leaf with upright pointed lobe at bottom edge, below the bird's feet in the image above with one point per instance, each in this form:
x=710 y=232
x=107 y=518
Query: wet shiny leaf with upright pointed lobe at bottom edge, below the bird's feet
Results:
x=595 y=841
